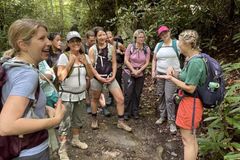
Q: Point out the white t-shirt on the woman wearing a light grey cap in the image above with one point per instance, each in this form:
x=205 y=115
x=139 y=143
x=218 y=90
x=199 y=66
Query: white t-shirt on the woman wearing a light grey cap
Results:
x=74 y=86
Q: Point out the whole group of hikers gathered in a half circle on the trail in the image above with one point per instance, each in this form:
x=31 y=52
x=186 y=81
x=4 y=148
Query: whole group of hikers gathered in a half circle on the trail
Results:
x=82 y=74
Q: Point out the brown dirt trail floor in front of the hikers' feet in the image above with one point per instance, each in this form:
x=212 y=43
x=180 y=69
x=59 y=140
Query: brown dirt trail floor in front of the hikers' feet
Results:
x=148 y=141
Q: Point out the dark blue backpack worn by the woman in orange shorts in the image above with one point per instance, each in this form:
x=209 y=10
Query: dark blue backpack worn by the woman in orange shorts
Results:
x=212 y=91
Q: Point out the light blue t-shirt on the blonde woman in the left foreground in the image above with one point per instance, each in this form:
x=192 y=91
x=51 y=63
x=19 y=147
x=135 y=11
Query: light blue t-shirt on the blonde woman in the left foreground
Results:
x=23 y=81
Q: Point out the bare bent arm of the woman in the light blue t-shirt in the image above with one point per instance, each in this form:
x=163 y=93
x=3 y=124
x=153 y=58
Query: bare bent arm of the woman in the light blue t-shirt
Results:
x=12 y=123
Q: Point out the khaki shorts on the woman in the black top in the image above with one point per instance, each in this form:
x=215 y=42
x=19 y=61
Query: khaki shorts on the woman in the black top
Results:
x=98 y=86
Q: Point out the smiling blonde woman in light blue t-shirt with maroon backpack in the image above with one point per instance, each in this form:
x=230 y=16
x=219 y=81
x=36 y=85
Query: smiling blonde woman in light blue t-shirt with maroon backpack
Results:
x=24 y=108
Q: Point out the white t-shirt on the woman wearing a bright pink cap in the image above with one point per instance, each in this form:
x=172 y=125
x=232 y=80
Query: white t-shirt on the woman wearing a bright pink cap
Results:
x=166 y=56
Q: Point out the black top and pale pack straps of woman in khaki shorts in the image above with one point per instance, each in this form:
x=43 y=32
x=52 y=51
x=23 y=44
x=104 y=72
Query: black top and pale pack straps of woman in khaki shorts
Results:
x=103 y=63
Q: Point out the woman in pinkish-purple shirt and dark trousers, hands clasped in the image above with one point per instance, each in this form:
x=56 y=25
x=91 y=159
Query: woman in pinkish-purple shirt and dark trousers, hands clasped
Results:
x=137 y=58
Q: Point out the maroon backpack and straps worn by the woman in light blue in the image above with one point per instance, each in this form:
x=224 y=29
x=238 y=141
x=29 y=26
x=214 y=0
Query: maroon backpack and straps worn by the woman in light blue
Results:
x=11 y=146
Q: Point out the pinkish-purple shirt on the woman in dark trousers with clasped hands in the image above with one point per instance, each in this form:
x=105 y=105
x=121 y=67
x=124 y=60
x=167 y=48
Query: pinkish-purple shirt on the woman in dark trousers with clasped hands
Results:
x=137 y=58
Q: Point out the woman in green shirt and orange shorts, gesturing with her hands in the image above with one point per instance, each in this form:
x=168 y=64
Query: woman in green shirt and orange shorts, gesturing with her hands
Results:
x=190 y=109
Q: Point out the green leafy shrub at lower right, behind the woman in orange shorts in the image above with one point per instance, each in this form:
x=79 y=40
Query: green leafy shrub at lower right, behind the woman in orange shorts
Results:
x=221 y=139
